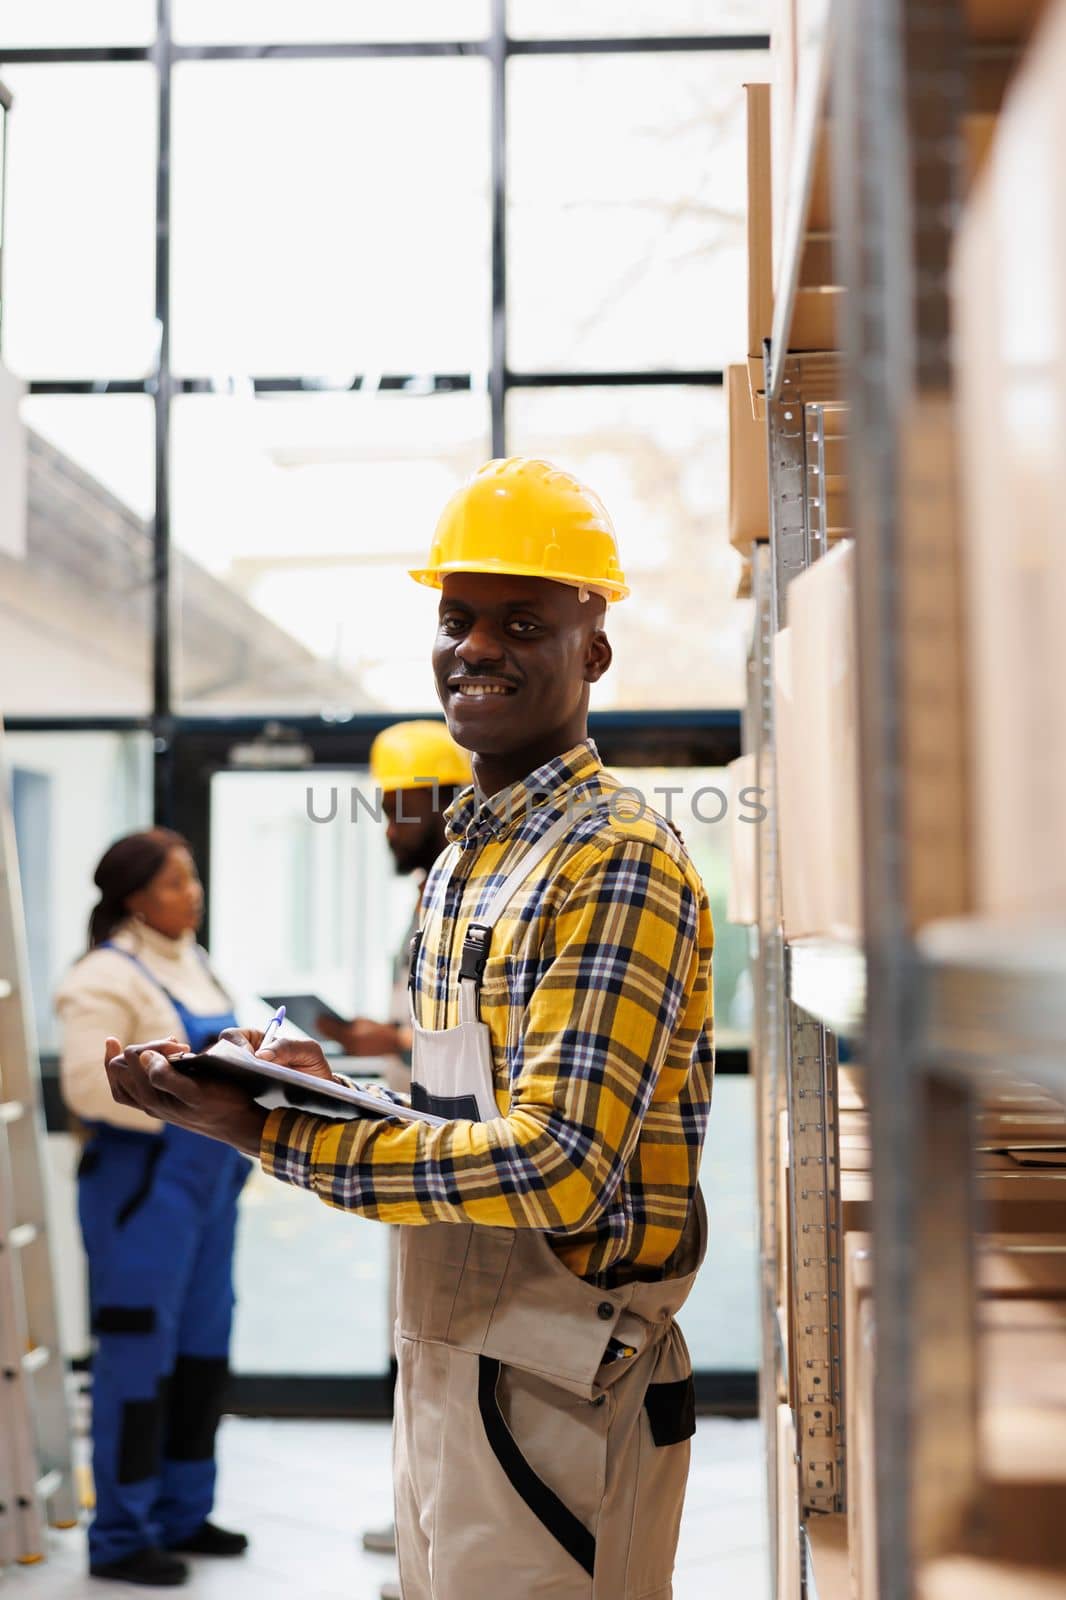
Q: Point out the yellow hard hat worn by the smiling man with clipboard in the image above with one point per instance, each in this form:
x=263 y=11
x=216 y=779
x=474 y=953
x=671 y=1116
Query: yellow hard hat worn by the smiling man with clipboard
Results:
x=526 y=518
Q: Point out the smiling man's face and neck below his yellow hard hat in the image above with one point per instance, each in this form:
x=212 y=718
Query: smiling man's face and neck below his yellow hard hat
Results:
x=515 y=660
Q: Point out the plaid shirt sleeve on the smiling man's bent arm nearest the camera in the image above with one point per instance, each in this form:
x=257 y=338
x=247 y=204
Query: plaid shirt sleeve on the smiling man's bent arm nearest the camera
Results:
x=619 y=969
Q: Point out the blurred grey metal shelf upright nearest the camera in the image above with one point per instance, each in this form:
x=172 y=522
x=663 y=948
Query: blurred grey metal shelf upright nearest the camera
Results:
x=899 y=100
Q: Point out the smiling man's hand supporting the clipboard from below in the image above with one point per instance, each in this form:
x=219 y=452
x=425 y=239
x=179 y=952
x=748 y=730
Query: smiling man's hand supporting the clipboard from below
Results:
x=142 y=1076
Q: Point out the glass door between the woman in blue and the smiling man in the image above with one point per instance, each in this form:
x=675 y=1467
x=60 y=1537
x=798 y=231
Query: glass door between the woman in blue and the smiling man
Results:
x=303 y=898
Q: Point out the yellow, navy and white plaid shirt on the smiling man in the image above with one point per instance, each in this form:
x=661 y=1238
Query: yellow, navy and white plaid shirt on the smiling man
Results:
x=598 y=999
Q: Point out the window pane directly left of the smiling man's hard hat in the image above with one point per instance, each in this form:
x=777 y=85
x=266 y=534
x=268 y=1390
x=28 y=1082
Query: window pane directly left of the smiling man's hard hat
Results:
x=297 y=519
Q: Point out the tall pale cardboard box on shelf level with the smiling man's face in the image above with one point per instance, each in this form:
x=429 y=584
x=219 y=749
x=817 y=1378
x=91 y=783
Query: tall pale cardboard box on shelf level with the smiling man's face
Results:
x=819 y=764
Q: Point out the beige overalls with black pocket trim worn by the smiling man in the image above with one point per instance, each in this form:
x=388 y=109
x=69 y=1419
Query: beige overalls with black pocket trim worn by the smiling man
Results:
x=543 y=1423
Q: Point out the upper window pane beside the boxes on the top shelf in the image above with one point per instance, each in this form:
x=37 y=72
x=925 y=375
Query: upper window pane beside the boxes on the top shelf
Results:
x=627 y=223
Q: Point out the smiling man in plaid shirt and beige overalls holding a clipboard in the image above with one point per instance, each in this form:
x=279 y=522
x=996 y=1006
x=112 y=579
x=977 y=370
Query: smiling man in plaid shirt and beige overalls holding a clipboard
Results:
x=561 y=988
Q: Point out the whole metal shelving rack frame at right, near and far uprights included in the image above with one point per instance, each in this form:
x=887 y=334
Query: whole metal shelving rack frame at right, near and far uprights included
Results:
x=940 y=999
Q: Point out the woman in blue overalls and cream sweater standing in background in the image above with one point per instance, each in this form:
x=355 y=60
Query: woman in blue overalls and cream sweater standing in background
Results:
x=159 y=1212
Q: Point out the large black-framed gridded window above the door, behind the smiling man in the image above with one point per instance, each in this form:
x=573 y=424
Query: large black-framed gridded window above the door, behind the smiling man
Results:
x=287 y=276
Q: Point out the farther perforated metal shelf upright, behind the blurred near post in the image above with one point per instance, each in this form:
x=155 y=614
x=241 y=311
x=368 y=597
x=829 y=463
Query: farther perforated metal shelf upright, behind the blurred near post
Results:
x=796 y=1054
